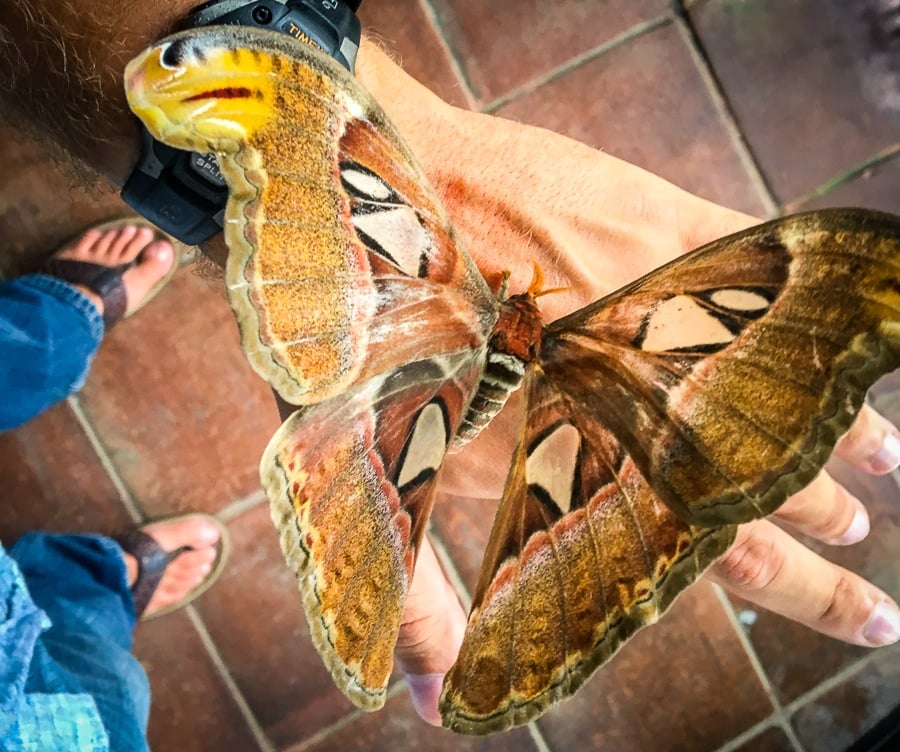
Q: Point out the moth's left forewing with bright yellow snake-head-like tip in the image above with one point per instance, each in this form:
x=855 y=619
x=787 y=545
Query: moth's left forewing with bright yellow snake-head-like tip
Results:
x=342 y=263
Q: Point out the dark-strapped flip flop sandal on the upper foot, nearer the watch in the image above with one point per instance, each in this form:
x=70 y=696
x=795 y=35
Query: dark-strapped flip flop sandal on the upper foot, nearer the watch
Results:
x=106 y=281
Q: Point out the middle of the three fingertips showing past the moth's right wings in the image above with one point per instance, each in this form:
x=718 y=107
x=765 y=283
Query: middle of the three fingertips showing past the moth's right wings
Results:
x=826 y=511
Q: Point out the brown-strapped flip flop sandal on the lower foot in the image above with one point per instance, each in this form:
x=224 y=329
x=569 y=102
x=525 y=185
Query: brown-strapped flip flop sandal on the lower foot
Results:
x=152 y=561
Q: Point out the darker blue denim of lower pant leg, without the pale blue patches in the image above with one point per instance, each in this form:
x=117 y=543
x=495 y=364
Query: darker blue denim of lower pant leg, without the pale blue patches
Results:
x=80 y=582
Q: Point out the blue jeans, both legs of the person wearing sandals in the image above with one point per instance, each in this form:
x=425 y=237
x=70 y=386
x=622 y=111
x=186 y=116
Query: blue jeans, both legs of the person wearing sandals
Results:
x=68 y=680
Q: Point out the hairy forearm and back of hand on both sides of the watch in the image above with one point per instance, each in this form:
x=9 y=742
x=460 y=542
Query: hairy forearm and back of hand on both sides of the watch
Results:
x=518 y=195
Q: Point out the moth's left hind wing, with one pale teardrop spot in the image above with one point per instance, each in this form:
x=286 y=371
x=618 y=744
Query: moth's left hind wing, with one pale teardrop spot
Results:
x=351 y=483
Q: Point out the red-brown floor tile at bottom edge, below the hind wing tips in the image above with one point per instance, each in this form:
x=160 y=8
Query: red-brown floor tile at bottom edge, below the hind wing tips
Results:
x=397 y=727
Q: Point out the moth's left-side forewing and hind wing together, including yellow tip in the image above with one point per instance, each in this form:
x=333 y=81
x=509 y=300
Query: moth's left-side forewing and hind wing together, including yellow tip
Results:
x=353 y=299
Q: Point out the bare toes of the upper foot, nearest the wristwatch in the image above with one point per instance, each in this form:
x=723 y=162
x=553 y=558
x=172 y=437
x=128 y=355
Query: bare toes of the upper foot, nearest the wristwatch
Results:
x=120 y=246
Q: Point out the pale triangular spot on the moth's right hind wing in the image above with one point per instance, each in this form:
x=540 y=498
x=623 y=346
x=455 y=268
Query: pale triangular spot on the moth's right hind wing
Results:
x=551 y=466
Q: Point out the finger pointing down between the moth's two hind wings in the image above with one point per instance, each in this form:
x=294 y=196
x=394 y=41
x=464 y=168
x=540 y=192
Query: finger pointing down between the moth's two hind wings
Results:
x=430 y=634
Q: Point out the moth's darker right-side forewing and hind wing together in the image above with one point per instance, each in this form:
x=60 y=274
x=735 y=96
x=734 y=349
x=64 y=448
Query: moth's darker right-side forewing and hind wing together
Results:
x=703 y=394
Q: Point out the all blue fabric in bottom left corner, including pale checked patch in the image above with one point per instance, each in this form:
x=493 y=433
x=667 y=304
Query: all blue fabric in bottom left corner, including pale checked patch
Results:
x=69 y=680
